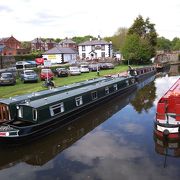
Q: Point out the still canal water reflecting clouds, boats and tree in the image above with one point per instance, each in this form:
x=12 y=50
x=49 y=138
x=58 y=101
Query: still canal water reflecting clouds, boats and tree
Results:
x=115 y=141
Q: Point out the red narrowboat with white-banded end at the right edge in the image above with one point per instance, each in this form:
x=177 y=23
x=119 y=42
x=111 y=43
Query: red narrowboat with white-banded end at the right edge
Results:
x=167 y=122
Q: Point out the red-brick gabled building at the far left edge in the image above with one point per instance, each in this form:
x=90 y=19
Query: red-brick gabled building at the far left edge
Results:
x=9 y=46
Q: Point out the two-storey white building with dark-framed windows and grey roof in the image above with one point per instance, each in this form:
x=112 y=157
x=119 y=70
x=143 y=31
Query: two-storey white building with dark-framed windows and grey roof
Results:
x=94 y=49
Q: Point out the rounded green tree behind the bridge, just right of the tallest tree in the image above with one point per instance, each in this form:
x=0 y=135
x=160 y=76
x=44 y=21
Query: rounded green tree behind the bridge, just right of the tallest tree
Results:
x=164 y=44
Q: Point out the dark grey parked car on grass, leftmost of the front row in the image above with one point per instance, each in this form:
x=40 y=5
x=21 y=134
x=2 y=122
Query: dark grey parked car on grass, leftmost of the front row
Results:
x=7 y=79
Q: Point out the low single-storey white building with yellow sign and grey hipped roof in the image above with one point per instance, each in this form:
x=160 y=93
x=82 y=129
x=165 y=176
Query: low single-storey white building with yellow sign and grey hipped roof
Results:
x=60 y=54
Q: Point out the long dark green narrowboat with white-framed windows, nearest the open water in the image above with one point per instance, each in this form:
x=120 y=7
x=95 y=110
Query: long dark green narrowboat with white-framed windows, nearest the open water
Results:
x=41 y=116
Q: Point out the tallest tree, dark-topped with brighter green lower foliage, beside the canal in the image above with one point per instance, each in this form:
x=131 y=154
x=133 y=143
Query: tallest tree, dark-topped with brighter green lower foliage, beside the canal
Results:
x=144 y=32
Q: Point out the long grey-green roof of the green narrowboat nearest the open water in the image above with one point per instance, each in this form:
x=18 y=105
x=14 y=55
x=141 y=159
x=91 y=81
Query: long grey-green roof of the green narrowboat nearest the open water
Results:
x=71 y=93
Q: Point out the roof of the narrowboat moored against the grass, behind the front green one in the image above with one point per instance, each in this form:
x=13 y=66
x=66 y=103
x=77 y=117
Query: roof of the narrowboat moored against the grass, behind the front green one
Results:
x=44 y=93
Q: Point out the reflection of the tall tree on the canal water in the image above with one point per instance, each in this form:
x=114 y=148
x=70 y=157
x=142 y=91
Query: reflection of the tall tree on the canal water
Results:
x=144 y=98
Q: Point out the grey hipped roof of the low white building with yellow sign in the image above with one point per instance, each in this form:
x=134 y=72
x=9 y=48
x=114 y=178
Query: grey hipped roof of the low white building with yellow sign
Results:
x=61 y=50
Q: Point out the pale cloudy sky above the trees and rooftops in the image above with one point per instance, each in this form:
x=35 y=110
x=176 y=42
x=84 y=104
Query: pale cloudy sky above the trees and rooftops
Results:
x=28 y=19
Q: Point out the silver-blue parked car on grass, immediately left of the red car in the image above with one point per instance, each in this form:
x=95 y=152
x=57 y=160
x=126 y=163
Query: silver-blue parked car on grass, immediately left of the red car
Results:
x=29 y=76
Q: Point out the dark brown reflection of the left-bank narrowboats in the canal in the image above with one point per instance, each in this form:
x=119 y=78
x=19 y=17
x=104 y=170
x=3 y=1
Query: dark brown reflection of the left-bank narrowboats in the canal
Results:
x=45 y=149
